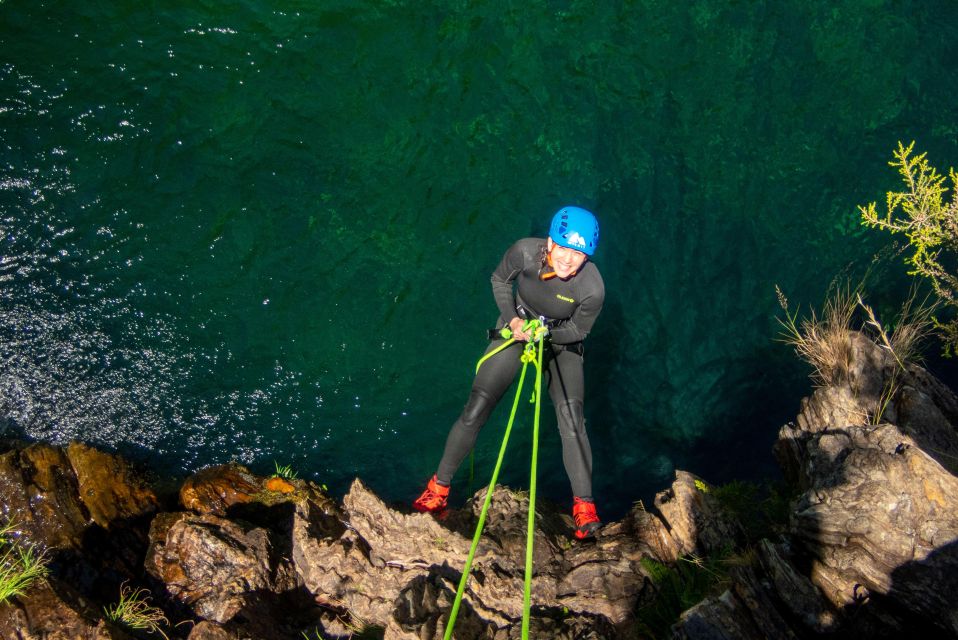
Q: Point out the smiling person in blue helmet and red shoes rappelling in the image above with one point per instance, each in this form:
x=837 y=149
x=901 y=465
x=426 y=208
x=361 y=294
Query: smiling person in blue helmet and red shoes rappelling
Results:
x=554 y=279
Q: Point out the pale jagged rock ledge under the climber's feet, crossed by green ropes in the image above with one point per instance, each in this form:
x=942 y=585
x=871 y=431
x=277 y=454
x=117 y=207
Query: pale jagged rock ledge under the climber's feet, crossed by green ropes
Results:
x=401 y=571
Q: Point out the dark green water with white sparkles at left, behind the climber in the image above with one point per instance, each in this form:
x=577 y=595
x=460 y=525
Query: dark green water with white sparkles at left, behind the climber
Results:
x=235 y=232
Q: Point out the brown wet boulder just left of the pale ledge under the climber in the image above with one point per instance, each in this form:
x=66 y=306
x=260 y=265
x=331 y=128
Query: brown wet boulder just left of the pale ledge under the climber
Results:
x=215 y=566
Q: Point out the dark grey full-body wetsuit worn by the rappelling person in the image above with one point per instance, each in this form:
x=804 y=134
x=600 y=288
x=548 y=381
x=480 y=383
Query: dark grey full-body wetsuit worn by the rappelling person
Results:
x=570 y=308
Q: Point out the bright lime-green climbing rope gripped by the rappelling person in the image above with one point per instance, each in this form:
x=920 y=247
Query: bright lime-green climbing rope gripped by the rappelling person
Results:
x=530 y=354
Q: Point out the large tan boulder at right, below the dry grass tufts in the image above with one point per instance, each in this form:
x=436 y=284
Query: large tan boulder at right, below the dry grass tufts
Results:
x=879 y=514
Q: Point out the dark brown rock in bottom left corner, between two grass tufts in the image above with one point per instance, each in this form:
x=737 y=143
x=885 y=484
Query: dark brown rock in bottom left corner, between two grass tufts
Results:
x=51 y=610
